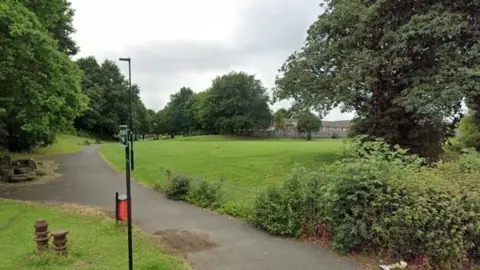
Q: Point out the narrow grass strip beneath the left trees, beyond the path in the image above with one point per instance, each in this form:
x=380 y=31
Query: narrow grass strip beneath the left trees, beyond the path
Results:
x=65 y=144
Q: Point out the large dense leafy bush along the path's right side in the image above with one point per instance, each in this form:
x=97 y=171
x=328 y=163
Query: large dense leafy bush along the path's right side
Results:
x=380 y=199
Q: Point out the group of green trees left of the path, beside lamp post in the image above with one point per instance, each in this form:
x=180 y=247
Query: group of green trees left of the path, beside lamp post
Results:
x=44 y=92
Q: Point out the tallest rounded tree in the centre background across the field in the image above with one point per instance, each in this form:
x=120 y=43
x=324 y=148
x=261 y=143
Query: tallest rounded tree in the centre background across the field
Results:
x=237 y=102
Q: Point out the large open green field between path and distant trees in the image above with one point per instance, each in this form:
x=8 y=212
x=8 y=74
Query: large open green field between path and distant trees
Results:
x=246 y=166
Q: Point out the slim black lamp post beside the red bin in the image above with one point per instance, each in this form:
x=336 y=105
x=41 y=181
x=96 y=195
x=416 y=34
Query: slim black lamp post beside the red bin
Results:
x=128 y=163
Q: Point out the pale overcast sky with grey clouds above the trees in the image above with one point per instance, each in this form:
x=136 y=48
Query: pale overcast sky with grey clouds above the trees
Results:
x=187 y=42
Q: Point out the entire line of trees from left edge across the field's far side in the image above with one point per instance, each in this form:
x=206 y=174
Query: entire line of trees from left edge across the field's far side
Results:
x=44 y=92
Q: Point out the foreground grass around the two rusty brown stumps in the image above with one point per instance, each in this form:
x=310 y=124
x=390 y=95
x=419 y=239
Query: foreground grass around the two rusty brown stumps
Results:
x=94 y=241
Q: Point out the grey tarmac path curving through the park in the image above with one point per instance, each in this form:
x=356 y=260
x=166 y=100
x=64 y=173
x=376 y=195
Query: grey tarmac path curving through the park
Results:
x=225 y=242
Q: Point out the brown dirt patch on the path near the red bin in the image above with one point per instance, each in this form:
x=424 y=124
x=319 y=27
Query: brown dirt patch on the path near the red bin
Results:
x=184 y=241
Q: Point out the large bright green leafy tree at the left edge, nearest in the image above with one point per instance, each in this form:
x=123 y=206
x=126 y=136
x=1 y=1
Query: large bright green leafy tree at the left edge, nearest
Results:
x=40 y=87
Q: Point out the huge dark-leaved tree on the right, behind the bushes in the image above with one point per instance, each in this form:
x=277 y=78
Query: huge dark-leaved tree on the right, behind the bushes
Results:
x=402 y=66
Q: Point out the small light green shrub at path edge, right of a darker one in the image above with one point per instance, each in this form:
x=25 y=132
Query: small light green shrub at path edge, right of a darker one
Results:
x=205 y=194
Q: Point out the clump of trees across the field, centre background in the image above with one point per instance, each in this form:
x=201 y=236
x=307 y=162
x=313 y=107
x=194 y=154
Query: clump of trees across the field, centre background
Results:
x=235 y=103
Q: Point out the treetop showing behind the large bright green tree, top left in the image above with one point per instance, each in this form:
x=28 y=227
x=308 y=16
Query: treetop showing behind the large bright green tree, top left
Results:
x=57 y=17
